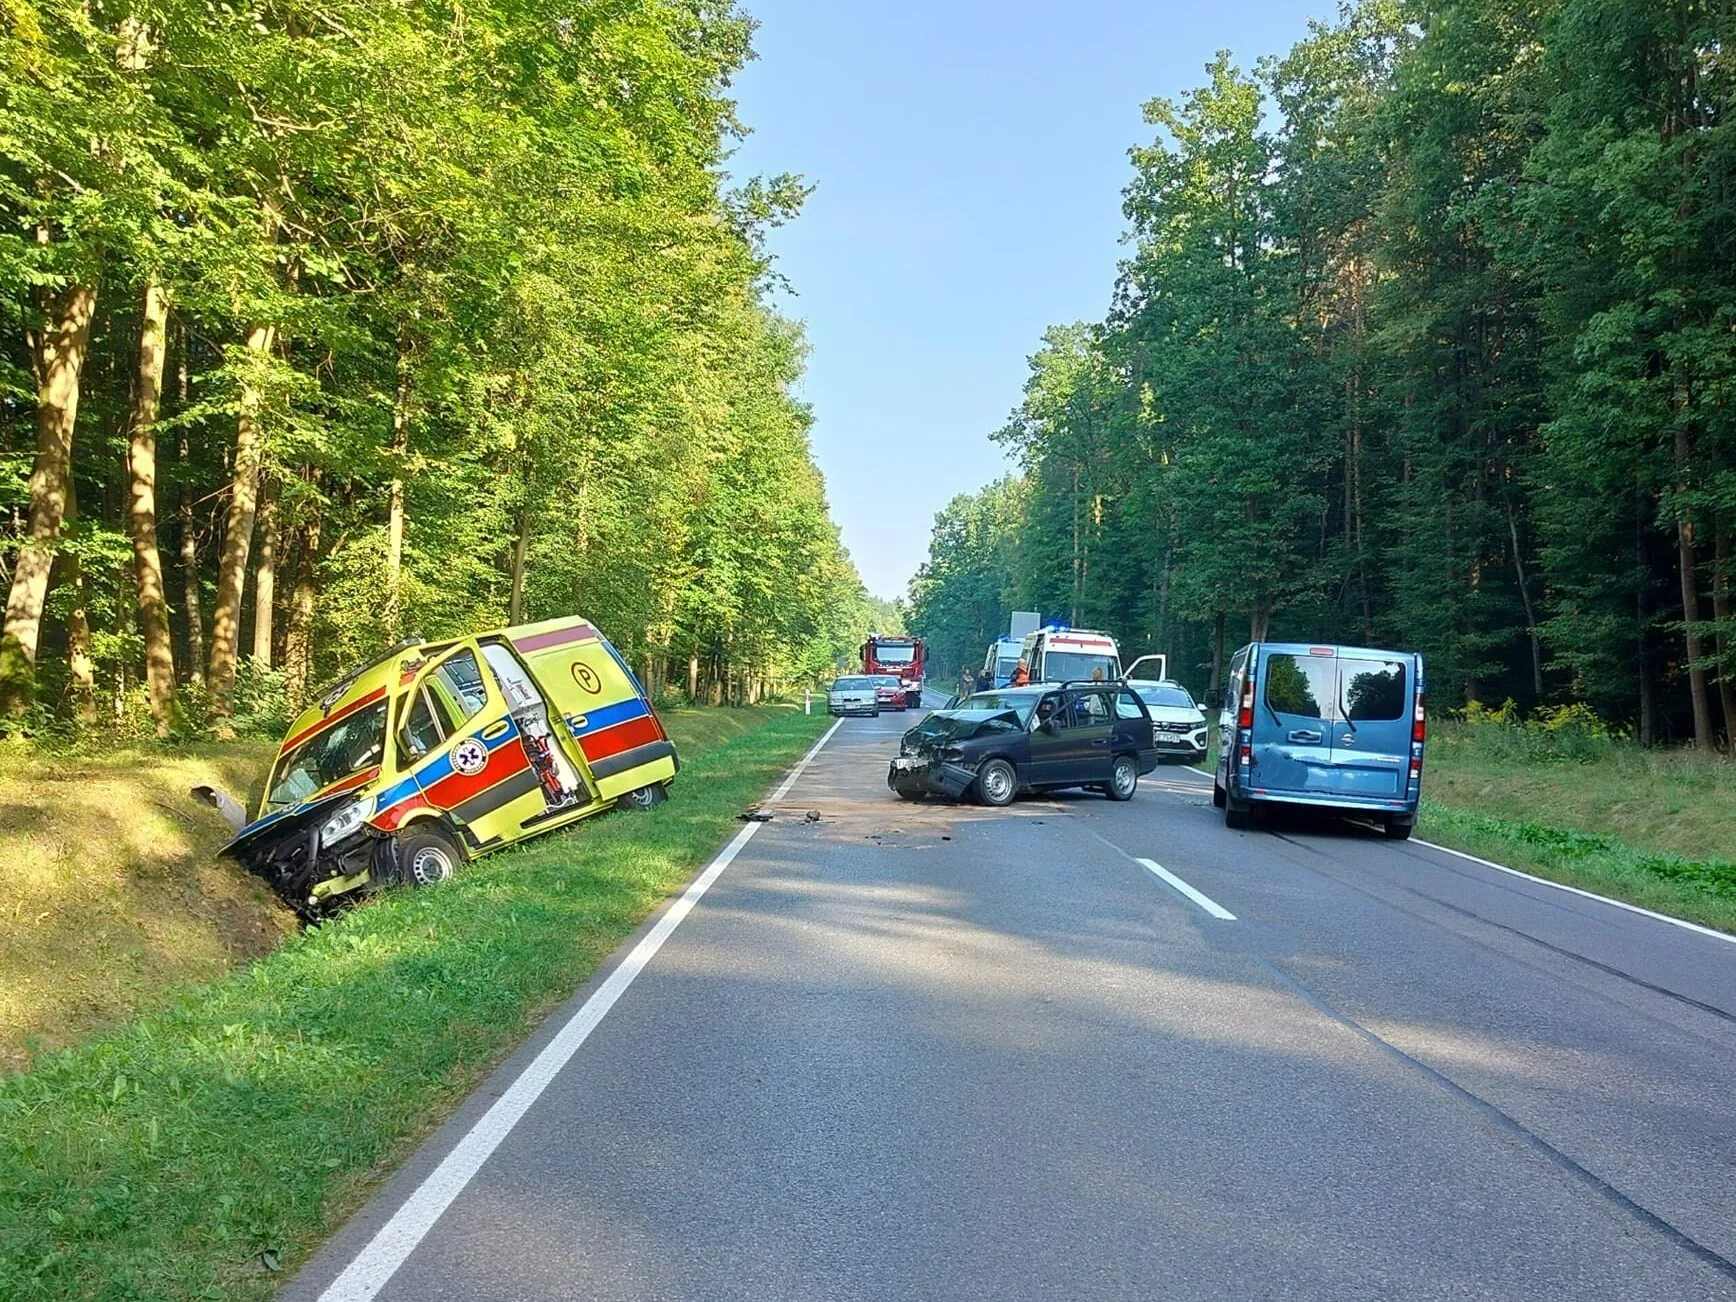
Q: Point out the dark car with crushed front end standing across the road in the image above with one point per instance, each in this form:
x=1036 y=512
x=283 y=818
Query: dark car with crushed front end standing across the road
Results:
x=1029 y=740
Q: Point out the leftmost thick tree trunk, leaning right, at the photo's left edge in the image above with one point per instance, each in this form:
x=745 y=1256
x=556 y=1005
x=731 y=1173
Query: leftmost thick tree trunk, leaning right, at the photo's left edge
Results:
x=58 y=357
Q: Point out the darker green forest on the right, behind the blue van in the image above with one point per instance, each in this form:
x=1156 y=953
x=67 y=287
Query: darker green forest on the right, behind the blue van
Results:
x=1426 y=338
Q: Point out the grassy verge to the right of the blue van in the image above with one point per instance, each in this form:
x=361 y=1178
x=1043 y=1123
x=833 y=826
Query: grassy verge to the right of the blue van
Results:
x=1650 y=827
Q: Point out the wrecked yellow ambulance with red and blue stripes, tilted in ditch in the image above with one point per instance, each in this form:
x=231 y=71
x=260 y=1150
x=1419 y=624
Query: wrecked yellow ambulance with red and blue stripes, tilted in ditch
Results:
x=438 y=753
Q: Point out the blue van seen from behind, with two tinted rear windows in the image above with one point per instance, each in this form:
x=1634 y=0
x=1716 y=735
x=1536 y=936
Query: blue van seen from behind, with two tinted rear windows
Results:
x=1327 y=727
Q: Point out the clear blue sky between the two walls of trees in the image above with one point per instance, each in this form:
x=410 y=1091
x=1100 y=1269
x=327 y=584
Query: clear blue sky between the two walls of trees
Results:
x=970 y=159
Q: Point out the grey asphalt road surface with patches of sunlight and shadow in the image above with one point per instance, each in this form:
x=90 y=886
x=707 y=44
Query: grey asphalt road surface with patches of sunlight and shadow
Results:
x=952 y=1053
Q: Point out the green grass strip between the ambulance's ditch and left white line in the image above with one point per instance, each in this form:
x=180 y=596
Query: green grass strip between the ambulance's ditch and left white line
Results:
x=207 y=1147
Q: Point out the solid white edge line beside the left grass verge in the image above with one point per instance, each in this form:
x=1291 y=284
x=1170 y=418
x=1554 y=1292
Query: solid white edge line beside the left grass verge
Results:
x=393 y=1244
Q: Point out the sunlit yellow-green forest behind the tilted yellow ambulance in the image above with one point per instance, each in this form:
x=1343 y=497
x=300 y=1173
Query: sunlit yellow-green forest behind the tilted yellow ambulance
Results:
x=325 y=324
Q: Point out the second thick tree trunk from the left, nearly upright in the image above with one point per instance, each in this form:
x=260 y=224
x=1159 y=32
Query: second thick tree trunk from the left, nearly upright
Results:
x=141 y=511
